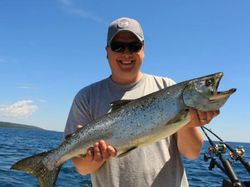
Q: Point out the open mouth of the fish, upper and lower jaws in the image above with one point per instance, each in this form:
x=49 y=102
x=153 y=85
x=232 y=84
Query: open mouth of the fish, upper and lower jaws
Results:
x=215 y=94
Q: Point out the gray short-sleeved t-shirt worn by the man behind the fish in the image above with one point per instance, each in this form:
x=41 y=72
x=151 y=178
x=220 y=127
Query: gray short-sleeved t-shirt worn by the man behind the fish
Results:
x=154 y=165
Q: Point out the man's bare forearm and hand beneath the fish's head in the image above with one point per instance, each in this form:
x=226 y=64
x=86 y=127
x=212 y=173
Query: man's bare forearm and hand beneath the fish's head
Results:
x=189 y=138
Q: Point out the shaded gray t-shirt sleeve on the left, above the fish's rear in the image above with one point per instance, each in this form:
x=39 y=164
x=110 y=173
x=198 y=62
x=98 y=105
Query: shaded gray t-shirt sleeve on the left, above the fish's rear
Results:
x=79 y=113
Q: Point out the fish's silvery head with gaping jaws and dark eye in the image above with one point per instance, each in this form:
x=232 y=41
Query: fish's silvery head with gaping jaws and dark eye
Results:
x=202 y=93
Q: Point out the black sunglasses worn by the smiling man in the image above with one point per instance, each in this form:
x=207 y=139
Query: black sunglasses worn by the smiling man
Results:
x=120 y=47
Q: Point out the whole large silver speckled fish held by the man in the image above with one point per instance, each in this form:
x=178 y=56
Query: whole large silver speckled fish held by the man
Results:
x=134 y=124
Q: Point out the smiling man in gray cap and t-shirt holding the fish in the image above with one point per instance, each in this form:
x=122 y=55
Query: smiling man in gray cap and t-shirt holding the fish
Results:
x=158 y=164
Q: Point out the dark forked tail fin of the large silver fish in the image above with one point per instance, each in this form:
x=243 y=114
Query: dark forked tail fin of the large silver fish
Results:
x=34 y=166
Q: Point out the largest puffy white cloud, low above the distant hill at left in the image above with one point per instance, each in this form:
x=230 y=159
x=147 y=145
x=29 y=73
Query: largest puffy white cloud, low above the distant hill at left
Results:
x=20 y=109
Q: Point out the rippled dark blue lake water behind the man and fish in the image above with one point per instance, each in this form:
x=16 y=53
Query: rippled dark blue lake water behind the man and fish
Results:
x=16 y=144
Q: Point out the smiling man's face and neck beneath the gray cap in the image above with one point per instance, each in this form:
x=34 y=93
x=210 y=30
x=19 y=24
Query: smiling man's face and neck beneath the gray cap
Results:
x=125 y=65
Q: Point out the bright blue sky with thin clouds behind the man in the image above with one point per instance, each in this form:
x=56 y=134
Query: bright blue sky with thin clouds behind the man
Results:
x=52 y=48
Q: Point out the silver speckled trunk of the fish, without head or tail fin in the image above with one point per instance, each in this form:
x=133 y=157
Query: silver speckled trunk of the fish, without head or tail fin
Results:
x=135 y=124
